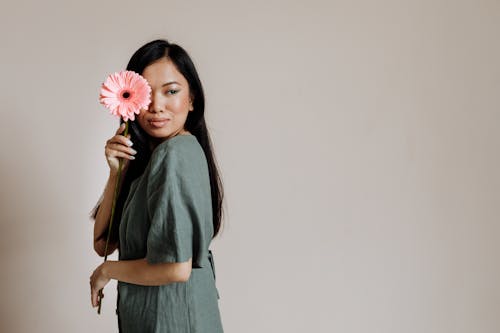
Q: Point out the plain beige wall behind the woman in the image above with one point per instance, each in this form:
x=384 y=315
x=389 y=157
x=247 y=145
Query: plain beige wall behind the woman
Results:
x=358 y=141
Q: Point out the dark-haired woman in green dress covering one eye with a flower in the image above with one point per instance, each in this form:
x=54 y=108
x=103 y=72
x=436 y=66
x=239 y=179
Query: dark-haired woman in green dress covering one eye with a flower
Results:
x=169 y=207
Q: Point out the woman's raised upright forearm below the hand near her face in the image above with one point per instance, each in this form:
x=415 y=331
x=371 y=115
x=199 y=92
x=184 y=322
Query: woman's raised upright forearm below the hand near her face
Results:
x=102 y=217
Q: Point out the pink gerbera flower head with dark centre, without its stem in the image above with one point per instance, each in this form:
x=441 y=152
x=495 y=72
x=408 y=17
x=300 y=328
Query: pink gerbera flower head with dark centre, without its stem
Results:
x=125 y=94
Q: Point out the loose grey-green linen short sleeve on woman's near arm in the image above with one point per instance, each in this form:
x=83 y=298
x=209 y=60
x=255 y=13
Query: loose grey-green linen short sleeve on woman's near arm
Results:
x=177 y=206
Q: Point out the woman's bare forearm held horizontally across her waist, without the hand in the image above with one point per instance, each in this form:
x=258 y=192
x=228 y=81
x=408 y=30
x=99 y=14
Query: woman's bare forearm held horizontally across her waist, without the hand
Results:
x=141 y=272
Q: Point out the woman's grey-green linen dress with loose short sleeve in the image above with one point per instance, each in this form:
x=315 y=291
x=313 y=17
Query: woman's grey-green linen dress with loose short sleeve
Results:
x=167 y=217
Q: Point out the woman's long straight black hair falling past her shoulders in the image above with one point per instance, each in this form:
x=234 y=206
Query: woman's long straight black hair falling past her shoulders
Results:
x=195 y=123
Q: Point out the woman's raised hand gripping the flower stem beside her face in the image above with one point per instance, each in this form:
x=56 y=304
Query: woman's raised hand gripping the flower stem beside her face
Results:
x=119 y=146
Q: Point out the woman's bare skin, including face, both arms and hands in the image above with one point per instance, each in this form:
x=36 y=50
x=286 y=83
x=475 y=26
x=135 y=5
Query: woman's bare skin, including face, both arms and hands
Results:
x=172 y=101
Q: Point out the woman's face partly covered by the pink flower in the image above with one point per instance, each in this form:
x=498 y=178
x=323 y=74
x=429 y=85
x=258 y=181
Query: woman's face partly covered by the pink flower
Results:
x=170 y=101
